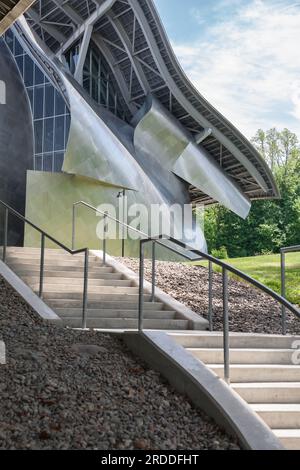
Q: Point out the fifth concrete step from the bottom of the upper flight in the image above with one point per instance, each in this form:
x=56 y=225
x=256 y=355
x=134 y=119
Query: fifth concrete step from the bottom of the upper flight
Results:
x=51 y=283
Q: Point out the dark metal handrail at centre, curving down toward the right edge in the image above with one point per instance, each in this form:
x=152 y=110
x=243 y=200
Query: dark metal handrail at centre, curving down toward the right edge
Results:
x=225 y=269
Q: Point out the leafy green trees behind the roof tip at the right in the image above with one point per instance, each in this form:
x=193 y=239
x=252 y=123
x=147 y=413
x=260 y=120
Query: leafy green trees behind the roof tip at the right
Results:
x=271 y=224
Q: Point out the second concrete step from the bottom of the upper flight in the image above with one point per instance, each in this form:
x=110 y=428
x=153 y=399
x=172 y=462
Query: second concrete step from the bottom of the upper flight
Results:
x=111 y=313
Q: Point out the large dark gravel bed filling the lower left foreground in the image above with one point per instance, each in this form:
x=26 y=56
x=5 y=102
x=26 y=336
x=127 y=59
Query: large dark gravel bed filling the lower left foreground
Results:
x=66 y=389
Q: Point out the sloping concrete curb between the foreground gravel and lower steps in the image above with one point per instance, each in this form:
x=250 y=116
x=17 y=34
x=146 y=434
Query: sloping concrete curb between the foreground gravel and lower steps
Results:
x=208 y=392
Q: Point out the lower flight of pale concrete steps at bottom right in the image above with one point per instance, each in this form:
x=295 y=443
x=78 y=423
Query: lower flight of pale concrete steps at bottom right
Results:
x=262 y=373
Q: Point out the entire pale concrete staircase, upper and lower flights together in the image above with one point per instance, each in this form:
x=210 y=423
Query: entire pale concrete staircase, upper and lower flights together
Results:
x=263 y=369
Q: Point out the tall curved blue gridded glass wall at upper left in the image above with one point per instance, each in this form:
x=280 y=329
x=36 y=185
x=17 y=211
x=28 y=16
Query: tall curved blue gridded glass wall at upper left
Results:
x=51 y=117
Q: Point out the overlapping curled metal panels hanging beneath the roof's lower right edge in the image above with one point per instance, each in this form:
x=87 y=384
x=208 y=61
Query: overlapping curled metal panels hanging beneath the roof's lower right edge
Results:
x=161 y=137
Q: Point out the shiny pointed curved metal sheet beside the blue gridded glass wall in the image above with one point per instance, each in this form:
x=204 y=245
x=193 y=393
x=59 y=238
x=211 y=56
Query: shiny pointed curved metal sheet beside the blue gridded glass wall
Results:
x=93 y=150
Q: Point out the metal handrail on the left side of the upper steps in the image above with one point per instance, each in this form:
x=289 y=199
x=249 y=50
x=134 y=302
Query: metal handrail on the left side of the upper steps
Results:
x=44 y=236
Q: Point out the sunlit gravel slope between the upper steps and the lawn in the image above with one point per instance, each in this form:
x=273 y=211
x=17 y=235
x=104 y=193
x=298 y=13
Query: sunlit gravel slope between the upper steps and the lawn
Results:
x=250 y=310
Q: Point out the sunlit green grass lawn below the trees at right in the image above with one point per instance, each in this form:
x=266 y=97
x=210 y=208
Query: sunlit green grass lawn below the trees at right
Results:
x=266 y=269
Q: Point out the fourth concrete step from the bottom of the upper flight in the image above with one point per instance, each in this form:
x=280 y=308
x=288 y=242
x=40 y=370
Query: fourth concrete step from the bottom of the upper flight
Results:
x=96 y=294
